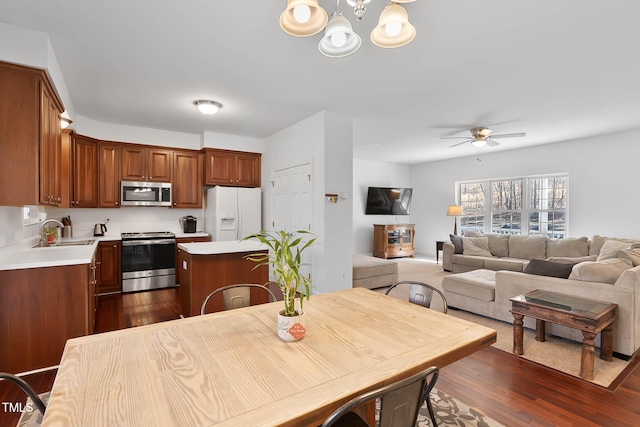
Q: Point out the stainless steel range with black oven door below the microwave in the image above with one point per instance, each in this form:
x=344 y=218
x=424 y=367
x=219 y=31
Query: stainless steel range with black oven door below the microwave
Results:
x=148 y=261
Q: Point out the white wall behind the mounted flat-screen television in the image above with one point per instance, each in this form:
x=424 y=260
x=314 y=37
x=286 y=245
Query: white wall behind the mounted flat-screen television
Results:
x=367 y=173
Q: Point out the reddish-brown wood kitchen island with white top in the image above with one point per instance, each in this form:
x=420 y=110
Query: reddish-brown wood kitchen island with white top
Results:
x=207 y=266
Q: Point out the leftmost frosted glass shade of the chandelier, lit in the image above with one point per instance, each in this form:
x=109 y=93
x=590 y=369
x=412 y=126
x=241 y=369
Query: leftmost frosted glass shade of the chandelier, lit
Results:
x=303 y=18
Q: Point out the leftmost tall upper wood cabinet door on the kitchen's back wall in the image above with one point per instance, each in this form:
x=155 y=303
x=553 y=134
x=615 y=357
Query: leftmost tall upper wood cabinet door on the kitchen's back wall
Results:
x=85 y=172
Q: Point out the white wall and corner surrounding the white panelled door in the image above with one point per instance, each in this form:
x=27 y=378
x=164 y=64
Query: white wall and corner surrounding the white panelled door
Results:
x=324 y=141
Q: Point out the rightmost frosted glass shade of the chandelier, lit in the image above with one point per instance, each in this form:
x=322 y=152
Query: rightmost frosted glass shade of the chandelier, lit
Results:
x=393 y=29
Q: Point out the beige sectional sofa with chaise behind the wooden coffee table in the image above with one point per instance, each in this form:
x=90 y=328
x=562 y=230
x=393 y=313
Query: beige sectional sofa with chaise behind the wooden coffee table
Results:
x=611 y=273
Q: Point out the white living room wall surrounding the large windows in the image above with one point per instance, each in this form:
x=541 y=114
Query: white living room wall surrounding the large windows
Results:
x=601 y=185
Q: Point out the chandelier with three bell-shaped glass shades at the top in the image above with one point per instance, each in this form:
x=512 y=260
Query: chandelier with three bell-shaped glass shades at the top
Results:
x=304 y=18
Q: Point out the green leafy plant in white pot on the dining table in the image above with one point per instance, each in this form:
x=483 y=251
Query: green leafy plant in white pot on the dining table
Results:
x=285 y=250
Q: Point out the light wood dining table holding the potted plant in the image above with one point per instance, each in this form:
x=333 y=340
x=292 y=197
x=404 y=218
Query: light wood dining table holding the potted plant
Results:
x=231 y=369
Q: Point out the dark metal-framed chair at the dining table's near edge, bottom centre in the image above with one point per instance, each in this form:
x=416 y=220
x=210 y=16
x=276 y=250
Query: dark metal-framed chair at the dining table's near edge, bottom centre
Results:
x=400 y=403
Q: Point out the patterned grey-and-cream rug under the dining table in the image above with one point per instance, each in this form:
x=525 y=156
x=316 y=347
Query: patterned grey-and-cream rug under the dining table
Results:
x=448 y=410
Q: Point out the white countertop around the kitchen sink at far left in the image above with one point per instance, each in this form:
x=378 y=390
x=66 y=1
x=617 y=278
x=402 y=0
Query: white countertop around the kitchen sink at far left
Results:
x=50 y=256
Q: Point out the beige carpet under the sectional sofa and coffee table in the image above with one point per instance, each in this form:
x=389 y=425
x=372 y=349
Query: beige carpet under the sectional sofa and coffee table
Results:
x=556 y=353
